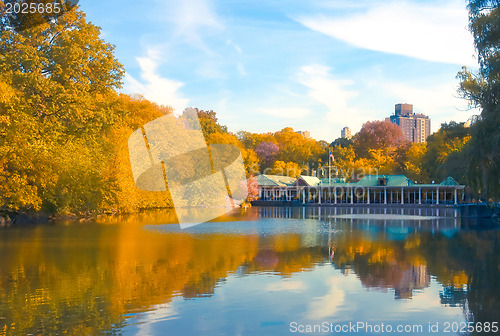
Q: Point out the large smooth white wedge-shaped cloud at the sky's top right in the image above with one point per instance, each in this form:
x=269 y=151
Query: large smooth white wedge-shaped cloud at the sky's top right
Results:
x=433 y=33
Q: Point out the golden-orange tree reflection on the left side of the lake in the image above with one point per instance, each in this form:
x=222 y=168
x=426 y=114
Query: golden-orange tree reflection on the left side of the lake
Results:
x=82 y=279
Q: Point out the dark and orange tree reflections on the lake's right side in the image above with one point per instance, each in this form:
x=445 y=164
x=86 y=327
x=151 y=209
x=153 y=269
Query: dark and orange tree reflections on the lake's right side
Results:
x=466 y=264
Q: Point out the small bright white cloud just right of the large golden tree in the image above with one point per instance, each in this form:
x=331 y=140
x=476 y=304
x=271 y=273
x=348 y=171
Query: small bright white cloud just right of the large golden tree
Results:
x=153 y=87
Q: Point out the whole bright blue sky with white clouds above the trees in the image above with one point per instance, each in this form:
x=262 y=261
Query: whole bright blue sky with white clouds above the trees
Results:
x=312 y=65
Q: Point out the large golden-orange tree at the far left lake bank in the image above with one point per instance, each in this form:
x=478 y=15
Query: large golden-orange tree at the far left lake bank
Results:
x=58 y=82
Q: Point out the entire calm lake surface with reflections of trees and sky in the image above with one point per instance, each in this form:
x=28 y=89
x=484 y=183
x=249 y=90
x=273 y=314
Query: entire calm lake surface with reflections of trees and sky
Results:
x=267 y=271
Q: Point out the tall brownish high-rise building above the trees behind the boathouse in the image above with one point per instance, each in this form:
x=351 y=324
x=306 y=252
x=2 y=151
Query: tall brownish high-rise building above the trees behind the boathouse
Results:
x=415 y=127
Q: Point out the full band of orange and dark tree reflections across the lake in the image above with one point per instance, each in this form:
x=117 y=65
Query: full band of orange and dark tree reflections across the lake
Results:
x=79 y=279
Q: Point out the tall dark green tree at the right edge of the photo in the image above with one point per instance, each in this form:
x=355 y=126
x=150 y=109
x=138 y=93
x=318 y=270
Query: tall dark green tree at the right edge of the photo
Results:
x=483 y=91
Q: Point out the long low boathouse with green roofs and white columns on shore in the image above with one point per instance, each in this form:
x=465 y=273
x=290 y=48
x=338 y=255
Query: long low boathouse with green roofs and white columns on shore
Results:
x=372 y=189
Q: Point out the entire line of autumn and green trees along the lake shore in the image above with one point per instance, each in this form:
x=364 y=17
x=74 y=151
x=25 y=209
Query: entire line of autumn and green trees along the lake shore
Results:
x=64 y=126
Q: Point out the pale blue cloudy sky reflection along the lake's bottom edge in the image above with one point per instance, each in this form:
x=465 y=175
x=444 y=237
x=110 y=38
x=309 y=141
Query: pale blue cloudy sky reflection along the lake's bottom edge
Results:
x=264 y=304
